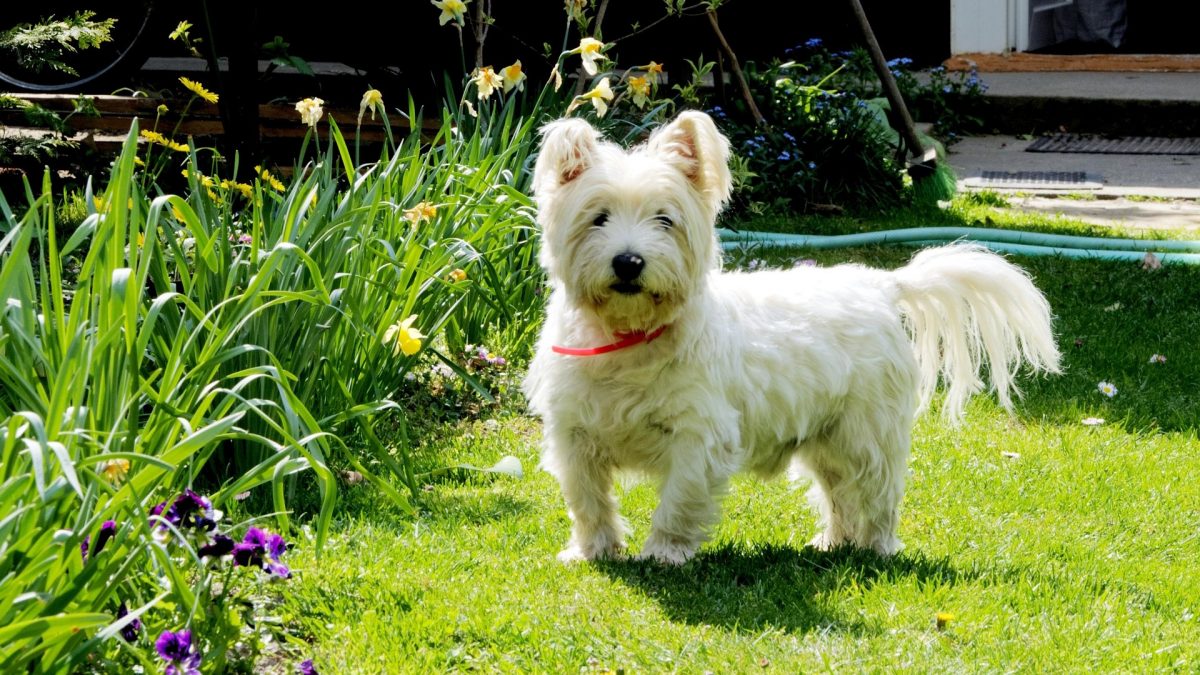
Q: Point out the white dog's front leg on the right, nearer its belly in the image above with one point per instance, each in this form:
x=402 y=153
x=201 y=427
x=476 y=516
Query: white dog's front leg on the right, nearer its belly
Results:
x=688 y=506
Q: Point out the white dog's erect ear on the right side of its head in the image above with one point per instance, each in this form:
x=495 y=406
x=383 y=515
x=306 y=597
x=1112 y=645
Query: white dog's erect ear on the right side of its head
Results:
x=693 y=142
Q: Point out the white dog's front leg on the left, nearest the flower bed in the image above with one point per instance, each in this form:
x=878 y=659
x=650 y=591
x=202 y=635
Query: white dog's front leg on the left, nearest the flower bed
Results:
x=598 y=531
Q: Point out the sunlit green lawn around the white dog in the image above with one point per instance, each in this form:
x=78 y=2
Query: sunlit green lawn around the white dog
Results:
x=1035 y=543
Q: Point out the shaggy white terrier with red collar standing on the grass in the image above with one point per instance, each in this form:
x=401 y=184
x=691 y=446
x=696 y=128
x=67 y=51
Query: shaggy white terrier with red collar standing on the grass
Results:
x=653 y=360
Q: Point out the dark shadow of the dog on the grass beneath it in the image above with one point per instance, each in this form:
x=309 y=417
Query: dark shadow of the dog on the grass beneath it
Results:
x=771 y=587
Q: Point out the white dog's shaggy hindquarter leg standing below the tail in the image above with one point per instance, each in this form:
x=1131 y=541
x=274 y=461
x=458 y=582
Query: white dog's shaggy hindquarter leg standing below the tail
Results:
x=859 y=476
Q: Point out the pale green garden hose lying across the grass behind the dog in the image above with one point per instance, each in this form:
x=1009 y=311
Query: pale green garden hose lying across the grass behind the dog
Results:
x=1004 y=241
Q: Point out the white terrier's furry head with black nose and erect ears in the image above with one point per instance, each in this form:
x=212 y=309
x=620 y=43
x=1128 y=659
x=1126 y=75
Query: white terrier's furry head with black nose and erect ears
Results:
x=629 y=234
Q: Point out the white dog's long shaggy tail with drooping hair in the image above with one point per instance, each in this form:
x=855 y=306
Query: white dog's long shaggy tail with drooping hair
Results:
x=964 y=306
